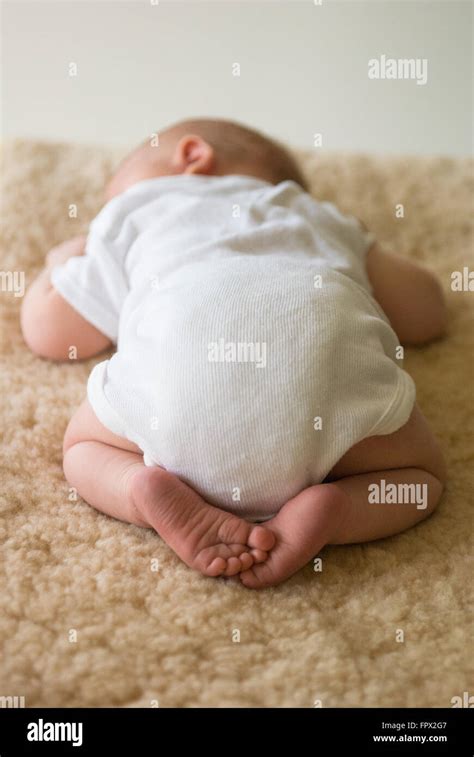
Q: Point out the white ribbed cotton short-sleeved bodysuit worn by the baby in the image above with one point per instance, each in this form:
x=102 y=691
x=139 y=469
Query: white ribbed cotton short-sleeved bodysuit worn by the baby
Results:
x=251 y=354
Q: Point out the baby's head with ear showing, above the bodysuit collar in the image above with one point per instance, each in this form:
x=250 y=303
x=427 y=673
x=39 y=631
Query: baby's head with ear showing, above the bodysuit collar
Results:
x=211 y=147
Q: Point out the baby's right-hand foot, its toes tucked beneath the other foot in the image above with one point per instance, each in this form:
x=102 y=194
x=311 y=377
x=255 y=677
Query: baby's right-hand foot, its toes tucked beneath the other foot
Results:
x=302 y=527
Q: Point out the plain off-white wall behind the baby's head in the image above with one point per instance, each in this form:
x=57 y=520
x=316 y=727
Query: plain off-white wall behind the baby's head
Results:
x=303 y=70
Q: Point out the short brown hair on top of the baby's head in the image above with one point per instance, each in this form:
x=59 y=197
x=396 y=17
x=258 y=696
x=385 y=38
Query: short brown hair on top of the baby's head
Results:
x=239 y=142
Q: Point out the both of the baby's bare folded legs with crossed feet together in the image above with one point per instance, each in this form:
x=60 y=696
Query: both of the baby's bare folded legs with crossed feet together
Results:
x=380 y=487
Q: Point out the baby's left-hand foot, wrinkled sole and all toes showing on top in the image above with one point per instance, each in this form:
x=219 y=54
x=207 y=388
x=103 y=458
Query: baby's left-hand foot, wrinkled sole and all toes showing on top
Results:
x=206 y=538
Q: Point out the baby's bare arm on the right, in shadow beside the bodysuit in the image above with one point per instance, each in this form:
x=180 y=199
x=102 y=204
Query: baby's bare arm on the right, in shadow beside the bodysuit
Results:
x=409 y=295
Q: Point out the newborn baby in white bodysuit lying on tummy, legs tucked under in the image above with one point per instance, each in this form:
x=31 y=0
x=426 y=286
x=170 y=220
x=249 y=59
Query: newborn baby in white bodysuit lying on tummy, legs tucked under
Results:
x=255 y=408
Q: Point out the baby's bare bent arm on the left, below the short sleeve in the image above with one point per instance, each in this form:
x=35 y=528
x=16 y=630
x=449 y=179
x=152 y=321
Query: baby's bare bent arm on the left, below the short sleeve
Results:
x=49 y=324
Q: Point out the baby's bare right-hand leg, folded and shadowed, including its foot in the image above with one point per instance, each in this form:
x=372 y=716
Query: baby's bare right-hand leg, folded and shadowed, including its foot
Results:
x=382 y=486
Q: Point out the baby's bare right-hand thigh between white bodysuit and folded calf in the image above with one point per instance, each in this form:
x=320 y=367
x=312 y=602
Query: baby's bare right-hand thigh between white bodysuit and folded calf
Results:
x=412 y=446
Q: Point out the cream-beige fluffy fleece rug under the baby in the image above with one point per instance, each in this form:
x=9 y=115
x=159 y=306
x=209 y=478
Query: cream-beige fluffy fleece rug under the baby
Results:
x=97 y=613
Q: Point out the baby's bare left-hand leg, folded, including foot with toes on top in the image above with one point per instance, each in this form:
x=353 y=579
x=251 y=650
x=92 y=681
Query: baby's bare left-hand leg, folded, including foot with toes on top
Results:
x=108 y=472
